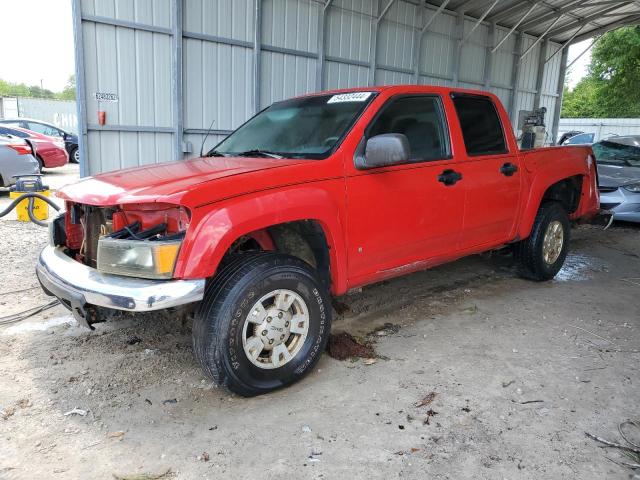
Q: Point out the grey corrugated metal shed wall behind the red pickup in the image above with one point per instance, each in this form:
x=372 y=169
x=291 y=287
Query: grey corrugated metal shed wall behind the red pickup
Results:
x=176 y=66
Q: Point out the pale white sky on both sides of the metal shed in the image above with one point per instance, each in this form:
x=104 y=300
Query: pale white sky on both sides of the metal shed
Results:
x=44 y=52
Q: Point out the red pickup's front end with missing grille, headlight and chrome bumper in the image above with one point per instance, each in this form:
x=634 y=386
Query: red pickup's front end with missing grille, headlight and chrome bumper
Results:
x=117 y=257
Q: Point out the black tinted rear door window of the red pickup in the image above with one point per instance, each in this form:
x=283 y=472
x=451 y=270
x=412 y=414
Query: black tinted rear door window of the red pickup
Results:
x=481 y=127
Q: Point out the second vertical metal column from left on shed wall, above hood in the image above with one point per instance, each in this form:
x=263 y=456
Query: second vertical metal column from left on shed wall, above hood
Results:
x=176 y=79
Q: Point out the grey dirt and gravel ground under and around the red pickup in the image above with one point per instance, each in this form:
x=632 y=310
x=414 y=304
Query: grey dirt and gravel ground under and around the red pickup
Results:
x=520 y=372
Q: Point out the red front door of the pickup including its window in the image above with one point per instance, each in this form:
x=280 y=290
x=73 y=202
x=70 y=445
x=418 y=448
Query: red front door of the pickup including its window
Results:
x=403 y=214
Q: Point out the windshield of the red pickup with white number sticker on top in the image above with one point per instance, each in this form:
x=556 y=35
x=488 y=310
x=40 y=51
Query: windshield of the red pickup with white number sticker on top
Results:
x=307 y=127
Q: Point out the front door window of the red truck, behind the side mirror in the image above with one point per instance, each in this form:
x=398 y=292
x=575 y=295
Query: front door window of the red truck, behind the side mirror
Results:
x=421 y=120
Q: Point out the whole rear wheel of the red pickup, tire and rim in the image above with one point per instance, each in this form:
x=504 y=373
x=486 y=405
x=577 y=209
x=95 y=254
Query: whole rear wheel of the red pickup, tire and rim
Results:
x=542 y=254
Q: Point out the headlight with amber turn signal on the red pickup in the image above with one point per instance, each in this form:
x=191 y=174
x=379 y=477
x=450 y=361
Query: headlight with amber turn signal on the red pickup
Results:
x=138 y=258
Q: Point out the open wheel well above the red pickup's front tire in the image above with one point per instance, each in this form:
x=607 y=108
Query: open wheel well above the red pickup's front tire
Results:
x=304 y=239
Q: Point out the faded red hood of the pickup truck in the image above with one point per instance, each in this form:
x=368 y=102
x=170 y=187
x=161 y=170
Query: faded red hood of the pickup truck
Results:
x=165 y=182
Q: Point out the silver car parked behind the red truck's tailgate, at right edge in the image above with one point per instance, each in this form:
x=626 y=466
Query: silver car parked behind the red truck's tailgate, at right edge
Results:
x=618 y=160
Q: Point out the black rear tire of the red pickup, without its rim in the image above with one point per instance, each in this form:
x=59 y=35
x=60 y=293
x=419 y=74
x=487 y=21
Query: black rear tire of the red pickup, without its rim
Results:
x=529 y=252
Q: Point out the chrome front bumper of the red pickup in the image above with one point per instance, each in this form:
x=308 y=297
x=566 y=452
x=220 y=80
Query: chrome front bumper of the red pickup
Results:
x=77 y=285
